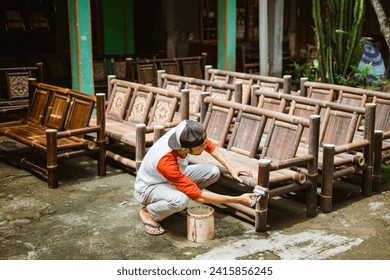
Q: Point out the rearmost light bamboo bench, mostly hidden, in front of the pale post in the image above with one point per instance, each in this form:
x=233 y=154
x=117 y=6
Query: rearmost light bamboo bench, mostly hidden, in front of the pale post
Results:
x=248 y=80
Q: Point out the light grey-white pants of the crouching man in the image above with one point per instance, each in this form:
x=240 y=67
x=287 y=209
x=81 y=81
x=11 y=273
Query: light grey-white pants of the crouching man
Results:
x=163 y=200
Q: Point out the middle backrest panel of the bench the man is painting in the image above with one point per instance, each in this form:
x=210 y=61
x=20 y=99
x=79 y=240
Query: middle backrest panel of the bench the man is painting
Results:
x=246 y=135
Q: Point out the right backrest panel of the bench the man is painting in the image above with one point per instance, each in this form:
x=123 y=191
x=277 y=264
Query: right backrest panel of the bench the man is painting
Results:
x=282 y=141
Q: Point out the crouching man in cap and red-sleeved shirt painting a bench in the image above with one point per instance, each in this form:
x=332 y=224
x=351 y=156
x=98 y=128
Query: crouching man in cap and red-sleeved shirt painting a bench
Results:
x=165 y=182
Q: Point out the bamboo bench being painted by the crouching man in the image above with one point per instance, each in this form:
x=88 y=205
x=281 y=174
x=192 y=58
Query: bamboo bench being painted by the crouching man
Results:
x=271 y=166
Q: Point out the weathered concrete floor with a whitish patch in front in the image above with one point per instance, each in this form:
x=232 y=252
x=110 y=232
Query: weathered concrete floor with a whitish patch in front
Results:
x=96 y=218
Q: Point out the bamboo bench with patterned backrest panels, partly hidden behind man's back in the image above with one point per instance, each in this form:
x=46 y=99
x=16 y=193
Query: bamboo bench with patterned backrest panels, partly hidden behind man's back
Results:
x=137 y=115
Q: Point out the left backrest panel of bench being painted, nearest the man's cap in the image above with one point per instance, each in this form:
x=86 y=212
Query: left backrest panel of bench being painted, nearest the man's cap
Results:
x=217 y=123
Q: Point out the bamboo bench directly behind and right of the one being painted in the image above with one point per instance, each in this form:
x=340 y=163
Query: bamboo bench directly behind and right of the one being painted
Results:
x=340 y=153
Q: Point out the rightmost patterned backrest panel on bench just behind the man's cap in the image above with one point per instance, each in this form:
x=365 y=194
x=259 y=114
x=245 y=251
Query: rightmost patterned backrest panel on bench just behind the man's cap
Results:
x=163 y=110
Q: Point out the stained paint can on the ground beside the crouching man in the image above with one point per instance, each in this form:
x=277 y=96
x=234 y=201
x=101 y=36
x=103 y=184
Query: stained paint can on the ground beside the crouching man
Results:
x=200 y=223
